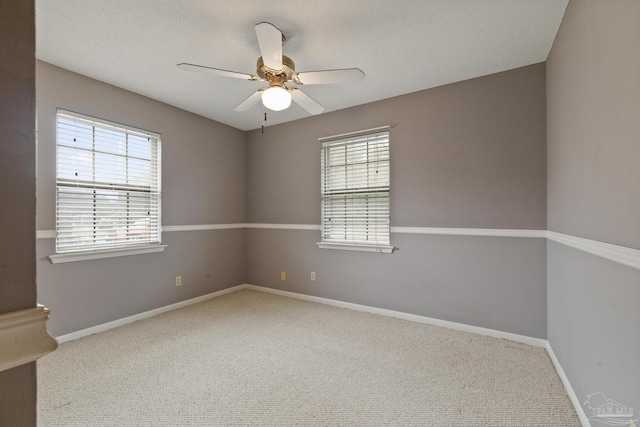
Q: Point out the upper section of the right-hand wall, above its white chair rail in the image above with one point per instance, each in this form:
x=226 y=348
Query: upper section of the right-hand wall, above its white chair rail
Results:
x=594 y=123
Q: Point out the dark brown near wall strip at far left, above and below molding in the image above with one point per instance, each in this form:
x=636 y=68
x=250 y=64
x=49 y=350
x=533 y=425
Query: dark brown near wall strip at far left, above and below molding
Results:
x=17 y=195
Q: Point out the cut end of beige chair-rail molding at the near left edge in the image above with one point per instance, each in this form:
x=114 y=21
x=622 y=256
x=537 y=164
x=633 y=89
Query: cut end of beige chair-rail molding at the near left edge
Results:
x=24 y=337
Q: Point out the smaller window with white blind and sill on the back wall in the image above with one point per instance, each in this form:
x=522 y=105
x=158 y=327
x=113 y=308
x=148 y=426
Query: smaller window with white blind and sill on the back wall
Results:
x=355 y=191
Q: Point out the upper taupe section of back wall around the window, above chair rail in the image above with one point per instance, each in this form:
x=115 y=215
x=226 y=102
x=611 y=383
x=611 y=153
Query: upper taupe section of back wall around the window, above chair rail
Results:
x=470 y=154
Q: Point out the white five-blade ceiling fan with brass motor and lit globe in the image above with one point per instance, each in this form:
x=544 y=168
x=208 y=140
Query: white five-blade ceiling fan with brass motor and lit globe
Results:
x=279 y=71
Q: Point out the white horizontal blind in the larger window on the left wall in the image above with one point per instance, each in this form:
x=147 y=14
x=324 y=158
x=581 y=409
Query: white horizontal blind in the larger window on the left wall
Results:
x=107 y=185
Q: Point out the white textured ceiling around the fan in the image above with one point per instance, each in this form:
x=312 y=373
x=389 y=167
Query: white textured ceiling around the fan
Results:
x=403 y=46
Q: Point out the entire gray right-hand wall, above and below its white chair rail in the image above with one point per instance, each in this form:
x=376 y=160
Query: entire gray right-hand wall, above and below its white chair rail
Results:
x=593 y=116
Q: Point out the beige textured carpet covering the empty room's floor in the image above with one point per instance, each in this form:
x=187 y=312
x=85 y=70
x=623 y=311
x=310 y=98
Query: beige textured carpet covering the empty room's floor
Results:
x=256 y=359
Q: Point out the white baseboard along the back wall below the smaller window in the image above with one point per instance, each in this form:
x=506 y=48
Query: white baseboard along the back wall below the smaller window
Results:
x=536 y=342
